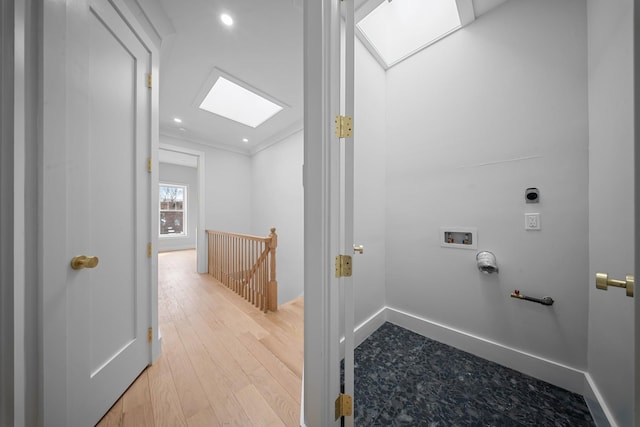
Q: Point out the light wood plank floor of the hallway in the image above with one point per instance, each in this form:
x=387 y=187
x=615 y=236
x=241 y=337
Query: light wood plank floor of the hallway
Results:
x=223 y=362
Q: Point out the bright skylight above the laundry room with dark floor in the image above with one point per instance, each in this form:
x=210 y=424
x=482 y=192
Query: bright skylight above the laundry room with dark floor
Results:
x=397 y=29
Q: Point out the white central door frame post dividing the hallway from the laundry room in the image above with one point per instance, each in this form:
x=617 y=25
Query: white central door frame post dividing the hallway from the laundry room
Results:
x=321 y=179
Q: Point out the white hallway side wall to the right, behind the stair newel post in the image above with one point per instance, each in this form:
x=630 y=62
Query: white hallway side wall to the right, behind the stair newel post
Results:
x=277 y=201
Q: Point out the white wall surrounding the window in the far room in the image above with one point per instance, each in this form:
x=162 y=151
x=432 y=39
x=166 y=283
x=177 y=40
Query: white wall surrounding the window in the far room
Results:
x=181 y=175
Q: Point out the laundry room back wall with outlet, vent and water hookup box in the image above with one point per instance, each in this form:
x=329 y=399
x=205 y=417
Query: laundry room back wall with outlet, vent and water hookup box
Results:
x=472 y=122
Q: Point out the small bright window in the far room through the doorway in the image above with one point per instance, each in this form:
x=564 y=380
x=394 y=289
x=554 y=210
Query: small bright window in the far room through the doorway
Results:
x=173 y=210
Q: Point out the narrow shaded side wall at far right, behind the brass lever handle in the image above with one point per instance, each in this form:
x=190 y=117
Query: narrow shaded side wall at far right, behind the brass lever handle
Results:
x=612 y=214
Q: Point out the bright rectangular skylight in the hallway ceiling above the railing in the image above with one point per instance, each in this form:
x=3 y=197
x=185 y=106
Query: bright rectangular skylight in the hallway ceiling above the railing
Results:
x=230 y=100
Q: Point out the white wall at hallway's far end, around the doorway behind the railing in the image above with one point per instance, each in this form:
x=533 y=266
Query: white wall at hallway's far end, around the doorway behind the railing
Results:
x=227 y=186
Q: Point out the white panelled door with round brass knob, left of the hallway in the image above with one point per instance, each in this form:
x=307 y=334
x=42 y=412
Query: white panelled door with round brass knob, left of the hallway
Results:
x=96 y=192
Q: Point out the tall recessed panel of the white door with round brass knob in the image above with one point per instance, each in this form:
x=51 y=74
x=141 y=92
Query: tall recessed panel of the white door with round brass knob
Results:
x=113 y=296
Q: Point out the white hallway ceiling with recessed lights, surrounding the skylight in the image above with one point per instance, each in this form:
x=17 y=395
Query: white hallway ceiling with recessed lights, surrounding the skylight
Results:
x=263 y=49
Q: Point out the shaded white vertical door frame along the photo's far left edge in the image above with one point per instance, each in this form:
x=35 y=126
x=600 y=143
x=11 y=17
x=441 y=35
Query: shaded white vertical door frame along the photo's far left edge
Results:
x=21 y=32
